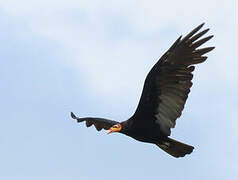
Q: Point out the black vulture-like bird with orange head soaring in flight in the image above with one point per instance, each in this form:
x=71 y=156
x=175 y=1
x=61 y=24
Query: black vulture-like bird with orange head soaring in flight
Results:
x=165 y=92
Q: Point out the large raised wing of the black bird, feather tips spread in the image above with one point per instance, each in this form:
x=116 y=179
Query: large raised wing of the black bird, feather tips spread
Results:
x=168 y=83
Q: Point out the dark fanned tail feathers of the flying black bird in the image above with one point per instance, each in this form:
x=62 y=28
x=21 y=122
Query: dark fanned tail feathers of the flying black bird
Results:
x=175 y=148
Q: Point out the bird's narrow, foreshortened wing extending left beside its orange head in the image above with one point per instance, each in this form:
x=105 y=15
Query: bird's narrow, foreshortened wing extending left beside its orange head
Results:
x=99 y=123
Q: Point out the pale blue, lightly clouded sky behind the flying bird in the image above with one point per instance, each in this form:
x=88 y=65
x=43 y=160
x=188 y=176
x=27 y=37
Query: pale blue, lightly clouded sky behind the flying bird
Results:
x=91 y=57
